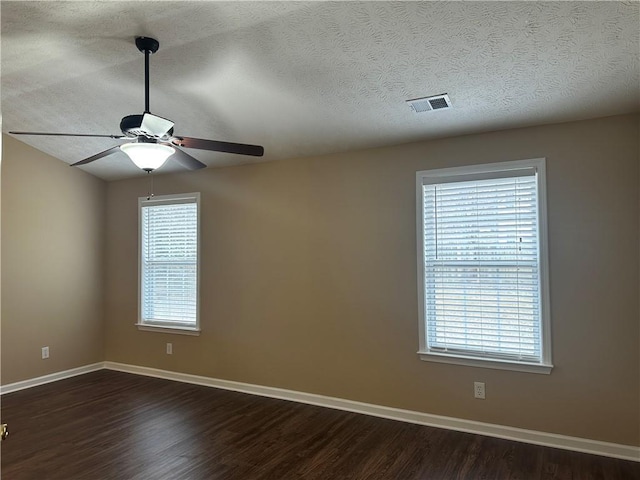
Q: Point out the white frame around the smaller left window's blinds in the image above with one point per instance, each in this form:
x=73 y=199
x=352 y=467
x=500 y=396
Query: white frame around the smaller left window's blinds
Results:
x=193 y=197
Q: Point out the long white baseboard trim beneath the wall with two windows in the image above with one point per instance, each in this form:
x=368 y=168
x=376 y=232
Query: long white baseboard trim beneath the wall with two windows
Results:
x=595 y=447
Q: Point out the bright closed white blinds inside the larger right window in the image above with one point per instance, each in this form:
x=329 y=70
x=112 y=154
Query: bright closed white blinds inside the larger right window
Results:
x=481 y=267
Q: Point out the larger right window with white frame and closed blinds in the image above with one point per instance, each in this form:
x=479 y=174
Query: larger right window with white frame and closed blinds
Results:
x=483 y=266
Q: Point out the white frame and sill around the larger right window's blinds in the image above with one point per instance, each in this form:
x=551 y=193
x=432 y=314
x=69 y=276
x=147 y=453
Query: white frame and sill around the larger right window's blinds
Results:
x=465 y=173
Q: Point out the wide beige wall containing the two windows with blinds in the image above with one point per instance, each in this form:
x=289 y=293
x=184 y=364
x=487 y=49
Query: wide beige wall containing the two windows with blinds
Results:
x=309 y=280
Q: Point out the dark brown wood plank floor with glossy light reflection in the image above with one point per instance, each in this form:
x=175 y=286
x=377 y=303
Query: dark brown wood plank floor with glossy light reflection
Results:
x=109 y=425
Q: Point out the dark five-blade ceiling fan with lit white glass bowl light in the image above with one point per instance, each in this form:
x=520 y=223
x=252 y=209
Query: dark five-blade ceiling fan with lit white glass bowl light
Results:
x=152 y=136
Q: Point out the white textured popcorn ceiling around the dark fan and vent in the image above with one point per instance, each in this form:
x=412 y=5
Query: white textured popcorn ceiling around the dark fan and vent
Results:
x=309 y=78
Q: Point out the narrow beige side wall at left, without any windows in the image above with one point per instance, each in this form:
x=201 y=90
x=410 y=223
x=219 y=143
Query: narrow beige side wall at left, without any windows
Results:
x=53 y=220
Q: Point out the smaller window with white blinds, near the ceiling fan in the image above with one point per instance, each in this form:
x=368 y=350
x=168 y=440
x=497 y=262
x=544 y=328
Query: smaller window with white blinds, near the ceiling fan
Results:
x=169 y=252
